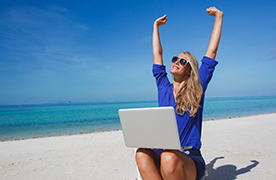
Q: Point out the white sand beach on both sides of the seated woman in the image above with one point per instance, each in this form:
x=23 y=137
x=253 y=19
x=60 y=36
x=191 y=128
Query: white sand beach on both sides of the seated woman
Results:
x=238 y=148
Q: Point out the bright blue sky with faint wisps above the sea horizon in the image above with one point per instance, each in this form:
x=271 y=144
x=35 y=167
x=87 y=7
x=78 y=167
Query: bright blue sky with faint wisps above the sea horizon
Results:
x=101 y=51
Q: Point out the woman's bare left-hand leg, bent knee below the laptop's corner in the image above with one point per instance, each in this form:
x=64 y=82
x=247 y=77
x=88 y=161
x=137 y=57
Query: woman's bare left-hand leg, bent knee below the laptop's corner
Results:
x=148 y=163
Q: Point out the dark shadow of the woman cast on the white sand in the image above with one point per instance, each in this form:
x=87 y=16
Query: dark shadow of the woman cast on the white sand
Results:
x=226 y=172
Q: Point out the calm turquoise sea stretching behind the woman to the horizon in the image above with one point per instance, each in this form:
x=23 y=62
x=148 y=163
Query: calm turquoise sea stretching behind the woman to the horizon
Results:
x=43 y=120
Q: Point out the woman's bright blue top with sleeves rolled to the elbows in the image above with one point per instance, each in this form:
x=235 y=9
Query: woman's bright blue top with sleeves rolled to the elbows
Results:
x=189 y=128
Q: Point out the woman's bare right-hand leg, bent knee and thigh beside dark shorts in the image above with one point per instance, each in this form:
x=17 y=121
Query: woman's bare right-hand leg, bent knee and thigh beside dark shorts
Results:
x=177 y=165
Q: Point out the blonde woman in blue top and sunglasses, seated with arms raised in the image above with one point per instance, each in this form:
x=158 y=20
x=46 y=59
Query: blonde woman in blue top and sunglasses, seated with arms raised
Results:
x=186 y=95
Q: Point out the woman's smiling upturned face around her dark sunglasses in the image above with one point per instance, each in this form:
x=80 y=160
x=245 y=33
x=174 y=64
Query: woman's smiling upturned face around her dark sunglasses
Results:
x=179 y=71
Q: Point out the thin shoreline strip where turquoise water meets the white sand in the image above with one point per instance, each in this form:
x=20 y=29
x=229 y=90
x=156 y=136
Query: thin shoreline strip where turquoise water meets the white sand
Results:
x=220 y=119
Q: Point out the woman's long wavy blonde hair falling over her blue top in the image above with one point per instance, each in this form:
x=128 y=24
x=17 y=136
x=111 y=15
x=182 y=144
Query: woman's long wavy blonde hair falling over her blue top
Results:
x=189 y=95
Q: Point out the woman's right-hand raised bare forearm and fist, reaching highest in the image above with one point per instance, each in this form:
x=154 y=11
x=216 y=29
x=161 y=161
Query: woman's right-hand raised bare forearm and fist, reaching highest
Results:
x=215 y=37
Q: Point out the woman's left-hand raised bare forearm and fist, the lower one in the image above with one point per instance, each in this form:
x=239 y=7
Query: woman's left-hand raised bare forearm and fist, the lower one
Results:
x=156 y=43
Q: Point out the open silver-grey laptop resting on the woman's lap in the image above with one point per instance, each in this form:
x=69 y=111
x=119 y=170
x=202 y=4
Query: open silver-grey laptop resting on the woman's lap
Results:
x=150 y=128
